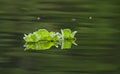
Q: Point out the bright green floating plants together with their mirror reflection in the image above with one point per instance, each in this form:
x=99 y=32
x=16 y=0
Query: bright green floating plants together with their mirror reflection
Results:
x=43 y=39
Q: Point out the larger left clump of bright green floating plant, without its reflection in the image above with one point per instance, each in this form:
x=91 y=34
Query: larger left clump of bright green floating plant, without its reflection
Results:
x=41 y=35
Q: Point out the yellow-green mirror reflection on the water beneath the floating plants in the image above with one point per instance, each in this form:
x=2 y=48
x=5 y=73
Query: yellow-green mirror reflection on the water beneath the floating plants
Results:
x=43 y=45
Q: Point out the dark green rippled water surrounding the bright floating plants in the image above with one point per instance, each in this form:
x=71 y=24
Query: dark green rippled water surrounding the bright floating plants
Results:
x=98 y=37
